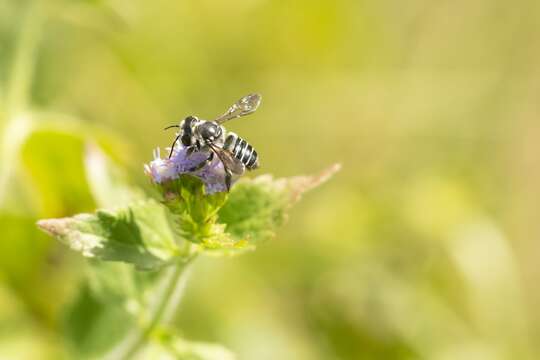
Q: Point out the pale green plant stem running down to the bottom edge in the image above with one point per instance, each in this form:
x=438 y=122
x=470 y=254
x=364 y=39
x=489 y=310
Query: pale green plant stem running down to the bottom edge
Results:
x=161 y=310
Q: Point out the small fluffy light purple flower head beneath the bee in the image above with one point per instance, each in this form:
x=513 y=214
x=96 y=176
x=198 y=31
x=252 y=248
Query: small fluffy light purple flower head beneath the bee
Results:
x=212 y=173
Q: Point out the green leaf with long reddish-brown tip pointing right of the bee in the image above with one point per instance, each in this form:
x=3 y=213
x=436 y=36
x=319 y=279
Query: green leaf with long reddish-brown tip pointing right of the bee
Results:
x=257 y=207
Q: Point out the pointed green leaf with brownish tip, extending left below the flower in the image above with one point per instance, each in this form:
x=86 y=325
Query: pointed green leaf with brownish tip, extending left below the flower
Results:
x=139 y=234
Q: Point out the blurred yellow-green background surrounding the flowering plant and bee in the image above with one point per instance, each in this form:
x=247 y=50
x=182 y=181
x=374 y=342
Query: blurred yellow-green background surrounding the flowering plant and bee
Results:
x=424 y=246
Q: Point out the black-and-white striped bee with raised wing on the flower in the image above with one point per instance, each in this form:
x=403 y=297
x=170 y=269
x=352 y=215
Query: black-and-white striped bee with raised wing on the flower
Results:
x=235 y=153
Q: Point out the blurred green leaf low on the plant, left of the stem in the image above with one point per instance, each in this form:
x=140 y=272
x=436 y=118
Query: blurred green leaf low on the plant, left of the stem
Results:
x=113 y=300
